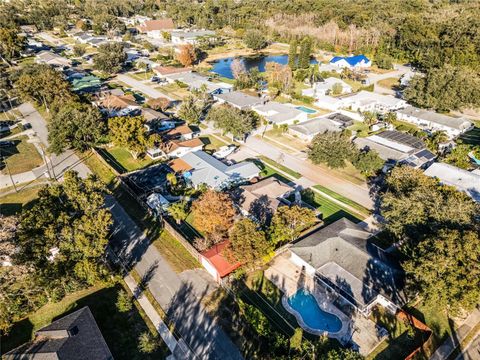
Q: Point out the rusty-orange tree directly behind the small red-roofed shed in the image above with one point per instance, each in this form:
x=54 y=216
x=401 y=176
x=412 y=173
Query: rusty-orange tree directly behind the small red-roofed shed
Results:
x=213 y=215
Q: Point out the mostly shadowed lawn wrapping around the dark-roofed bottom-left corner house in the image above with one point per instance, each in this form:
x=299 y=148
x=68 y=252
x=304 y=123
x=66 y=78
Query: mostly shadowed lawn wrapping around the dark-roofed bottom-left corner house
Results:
x=120 y=330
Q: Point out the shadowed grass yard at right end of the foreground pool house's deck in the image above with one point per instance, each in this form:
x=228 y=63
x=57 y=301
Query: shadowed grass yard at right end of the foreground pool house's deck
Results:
x=399 y=343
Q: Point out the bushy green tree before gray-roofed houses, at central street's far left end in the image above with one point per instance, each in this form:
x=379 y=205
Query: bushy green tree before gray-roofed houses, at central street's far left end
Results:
x=232 y=121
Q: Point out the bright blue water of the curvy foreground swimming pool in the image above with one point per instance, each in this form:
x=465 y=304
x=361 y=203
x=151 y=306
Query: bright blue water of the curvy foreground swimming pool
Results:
x=315 y=318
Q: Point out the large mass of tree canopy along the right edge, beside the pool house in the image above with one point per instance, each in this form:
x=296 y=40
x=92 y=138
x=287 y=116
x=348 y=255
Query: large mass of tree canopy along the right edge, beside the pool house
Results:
x=438 y=228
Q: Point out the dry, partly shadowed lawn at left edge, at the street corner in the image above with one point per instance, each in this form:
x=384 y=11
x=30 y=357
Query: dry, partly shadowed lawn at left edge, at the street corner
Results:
x=21 y=157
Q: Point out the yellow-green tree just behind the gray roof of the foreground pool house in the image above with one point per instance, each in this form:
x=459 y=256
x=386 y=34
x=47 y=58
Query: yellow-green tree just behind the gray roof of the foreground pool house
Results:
x=289 y=222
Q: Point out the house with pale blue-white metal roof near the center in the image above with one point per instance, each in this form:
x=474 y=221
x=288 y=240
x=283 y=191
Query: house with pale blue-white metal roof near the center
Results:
x=199 y=168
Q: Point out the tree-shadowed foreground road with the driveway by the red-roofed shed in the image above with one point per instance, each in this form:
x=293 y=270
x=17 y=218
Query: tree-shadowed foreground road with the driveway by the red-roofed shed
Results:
x=178 y=294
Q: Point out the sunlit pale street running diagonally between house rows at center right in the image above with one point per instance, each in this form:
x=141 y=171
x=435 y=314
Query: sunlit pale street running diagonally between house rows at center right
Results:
x=316 y=175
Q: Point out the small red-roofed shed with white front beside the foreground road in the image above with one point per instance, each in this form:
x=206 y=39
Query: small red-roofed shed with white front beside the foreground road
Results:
x=216 y=263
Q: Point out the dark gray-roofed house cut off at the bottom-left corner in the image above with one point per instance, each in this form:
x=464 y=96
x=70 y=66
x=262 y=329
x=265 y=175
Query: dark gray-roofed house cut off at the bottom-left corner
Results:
x=72 y=337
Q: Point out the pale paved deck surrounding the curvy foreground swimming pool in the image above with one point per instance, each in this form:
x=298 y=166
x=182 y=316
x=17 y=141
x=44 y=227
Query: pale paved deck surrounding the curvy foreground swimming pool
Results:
x=356 y=329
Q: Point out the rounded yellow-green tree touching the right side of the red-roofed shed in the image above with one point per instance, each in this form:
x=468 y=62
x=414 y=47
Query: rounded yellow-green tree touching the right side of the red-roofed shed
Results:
x=247 y=243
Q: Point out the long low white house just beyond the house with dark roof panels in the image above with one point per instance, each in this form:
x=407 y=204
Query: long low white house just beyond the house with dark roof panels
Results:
x=432 y=121
